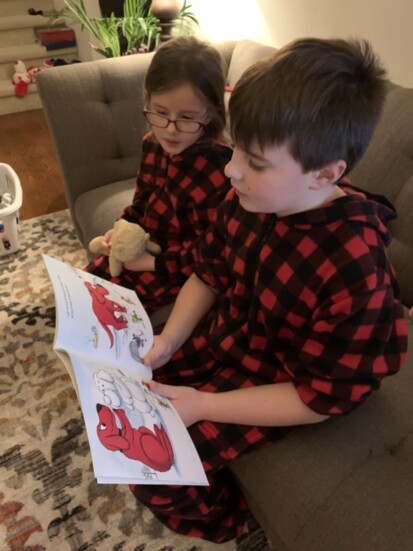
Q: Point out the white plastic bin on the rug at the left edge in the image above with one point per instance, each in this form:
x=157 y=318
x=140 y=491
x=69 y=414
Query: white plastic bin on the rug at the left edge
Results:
x=9 y=215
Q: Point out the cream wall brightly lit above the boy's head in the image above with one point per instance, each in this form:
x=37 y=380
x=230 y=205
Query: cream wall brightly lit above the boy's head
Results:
x=388 y=25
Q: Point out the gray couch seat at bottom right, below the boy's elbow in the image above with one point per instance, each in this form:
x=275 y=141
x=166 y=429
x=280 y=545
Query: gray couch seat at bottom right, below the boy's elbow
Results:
x=343 y=484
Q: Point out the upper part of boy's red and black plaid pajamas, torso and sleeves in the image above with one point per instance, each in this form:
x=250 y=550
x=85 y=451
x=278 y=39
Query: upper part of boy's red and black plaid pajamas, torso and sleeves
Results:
x=309 y=298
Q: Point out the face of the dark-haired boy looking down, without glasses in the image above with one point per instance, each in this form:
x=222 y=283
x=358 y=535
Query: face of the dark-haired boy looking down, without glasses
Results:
x=270 y=181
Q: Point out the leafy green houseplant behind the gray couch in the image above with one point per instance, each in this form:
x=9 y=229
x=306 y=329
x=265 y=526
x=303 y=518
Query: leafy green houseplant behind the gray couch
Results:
x=138 y=29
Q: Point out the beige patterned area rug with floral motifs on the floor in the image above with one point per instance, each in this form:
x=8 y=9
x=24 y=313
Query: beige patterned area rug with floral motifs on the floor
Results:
x=49 y=499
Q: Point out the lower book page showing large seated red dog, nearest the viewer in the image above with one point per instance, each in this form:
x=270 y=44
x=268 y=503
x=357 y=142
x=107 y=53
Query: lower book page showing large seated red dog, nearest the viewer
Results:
x=135 y=436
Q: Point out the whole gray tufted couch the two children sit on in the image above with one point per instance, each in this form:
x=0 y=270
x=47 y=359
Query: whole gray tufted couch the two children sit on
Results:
x=346 y=484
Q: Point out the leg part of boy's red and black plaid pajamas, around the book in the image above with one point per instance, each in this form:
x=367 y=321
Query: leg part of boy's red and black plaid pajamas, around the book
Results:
x=216 y=512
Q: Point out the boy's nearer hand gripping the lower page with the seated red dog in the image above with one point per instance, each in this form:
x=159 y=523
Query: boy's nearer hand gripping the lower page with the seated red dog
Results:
x=187 y=401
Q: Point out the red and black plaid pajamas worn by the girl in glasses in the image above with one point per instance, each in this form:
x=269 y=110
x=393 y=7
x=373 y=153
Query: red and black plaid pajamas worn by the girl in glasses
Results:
x=175 y=200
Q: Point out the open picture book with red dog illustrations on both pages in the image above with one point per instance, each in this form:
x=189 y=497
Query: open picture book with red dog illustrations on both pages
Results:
x=102 y=334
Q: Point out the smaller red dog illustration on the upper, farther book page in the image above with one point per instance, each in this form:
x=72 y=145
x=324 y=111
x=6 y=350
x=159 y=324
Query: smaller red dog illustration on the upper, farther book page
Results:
x=104 y=309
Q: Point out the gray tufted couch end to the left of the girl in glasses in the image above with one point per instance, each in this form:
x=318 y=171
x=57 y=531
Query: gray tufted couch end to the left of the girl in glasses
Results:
x=94 y=111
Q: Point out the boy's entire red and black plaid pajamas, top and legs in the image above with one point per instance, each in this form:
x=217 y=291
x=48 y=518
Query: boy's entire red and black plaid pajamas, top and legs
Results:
x=310 y=298
